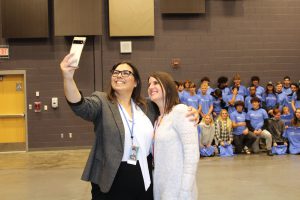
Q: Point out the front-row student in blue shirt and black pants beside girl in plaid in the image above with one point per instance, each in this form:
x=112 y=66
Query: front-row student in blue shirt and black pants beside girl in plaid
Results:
x=242 y=138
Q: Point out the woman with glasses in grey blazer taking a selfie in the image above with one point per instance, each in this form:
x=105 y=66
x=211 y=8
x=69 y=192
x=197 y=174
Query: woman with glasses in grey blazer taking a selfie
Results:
x=119 y=163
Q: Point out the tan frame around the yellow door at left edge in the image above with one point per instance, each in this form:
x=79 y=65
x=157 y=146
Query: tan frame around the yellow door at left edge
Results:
x=20 y=72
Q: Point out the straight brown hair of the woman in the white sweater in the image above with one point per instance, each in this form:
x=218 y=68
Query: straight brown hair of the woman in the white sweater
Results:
x=167 y=84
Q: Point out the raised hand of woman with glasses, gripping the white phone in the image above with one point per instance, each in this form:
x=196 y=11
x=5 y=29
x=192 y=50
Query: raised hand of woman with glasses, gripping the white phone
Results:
x=65 y=66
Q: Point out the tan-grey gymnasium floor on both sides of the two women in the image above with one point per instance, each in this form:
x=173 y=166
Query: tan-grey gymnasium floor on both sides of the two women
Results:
x=55 y=175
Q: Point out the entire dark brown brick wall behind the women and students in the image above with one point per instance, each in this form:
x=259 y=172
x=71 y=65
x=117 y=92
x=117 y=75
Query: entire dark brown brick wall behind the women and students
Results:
x=252 y=37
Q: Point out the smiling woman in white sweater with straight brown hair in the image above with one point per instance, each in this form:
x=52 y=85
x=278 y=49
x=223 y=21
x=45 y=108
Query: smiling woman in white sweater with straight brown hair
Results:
x=175 y=145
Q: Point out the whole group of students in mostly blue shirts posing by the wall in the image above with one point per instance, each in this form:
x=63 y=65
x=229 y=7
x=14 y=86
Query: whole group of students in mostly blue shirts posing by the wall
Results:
x=242 y=116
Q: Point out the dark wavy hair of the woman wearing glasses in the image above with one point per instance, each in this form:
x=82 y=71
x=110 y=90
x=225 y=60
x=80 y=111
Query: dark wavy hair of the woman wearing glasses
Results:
x=136 y=93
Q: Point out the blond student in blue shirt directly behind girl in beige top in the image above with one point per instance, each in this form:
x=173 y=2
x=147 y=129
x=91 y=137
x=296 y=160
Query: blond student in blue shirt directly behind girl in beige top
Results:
x=206 y=103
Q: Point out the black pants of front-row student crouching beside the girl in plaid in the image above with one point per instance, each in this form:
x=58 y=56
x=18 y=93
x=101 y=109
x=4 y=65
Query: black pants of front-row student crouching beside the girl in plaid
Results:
x=243 y=140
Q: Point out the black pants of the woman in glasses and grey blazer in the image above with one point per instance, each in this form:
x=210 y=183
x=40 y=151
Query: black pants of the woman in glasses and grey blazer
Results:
x=128 y=185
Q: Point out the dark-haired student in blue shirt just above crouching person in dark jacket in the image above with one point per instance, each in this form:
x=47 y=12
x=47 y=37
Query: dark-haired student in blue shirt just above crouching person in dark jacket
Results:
x=270 y=99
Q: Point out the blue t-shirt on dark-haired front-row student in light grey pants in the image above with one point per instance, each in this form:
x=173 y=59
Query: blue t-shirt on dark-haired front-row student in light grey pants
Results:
x=256 y=118
